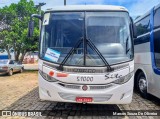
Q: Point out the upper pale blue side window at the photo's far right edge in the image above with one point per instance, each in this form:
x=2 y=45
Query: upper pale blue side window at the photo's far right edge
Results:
x=157 y=18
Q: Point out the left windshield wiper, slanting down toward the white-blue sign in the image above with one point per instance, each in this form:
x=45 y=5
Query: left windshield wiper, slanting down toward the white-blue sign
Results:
x=70 y=53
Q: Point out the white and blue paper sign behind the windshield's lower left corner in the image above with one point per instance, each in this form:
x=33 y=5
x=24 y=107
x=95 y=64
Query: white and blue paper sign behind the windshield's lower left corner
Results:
x=52 y=55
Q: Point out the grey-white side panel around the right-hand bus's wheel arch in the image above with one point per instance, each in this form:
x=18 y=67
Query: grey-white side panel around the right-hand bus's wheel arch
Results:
x=143 y=62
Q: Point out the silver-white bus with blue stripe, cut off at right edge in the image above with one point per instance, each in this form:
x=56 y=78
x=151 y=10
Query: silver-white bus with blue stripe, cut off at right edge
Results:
x=147 y=53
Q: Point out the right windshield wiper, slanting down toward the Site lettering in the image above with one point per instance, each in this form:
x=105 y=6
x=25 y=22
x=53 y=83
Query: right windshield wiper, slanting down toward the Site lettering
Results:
x=93 y=47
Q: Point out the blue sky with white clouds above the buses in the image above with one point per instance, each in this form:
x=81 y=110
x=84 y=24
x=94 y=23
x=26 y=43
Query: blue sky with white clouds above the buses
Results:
x=135 y=7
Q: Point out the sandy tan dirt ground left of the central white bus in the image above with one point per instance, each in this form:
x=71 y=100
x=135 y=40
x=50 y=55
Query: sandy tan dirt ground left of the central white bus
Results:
x=20 y=84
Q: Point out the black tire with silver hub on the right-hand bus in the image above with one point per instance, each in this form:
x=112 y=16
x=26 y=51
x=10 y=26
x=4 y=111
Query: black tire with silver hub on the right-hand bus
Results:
x=142 y=85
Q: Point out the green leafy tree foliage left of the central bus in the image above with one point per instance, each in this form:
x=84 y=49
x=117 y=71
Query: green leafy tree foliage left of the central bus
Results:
x=17 y=16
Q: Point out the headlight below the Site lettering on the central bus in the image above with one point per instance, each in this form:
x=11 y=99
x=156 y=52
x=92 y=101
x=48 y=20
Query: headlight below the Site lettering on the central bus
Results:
x=124 y=79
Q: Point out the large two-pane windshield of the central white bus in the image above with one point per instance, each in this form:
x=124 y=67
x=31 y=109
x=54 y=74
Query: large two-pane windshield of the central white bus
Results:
x=108 y=31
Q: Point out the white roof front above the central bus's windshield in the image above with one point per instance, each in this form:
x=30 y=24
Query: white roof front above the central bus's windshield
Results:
x=87 y=8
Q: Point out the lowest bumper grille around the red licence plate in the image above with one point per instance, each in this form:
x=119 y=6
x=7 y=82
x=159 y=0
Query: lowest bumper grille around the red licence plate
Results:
x=96 y=98
